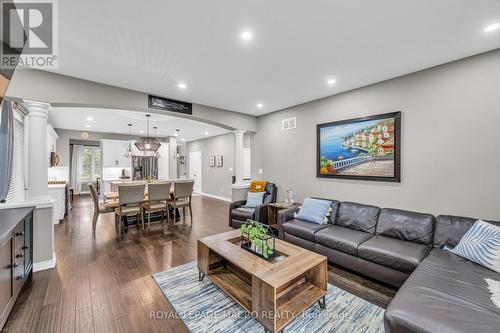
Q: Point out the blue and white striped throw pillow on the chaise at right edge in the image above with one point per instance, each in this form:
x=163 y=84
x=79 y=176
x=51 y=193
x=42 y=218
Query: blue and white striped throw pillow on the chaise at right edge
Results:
x=480 y=244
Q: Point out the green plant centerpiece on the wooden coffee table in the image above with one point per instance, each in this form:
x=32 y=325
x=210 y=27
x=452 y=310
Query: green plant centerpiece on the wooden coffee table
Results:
x=258 y=238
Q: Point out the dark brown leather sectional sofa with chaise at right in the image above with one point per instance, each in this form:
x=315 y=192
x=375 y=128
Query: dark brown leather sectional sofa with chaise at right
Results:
x=438 y=291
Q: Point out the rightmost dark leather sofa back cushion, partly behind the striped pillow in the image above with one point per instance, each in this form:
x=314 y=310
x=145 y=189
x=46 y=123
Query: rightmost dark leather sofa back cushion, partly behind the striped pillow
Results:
x=450 y=229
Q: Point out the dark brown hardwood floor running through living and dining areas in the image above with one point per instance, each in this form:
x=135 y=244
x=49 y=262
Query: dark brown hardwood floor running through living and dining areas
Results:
x=103 y=284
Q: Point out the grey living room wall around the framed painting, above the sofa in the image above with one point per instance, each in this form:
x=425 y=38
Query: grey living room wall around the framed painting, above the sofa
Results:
x=450 y=140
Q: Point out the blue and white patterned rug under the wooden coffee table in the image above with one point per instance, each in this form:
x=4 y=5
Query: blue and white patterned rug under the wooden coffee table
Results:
x=204 y=308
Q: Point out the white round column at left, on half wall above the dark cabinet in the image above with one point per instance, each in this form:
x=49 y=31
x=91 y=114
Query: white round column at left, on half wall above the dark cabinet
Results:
x=37 y=149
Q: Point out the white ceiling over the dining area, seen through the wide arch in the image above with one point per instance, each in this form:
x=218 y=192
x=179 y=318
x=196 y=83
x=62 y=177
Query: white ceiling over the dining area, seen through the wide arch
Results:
x=116 y=121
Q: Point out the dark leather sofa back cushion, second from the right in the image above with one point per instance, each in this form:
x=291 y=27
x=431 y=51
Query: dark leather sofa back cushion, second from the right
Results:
x=405 y=225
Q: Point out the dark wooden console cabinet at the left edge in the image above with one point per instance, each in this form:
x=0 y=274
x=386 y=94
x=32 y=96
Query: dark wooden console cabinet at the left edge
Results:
x=16 y=256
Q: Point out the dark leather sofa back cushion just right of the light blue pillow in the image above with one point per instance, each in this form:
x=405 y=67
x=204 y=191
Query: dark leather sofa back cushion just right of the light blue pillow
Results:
x=357 y=216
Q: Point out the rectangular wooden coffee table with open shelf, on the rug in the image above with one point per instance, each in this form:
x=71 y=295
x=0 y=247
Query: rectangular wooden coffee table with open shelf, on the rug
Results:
x=275 y=292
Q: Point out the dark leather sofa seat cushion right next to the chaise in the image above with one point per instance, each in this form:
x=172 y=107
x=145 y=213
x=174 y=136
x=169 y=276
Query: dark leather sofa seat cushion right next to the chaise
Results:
x=393 y=253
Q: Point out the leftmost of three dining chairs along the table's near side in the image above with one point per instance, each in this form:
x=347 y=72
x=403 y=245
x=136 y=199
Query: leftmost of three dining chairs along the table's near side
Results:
x=130 y=198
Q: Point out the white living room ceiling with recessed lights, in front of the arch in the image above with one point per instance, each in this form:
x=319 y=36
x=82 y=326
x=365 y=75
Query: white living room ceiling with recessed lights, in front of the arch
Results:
x=297 y=46
